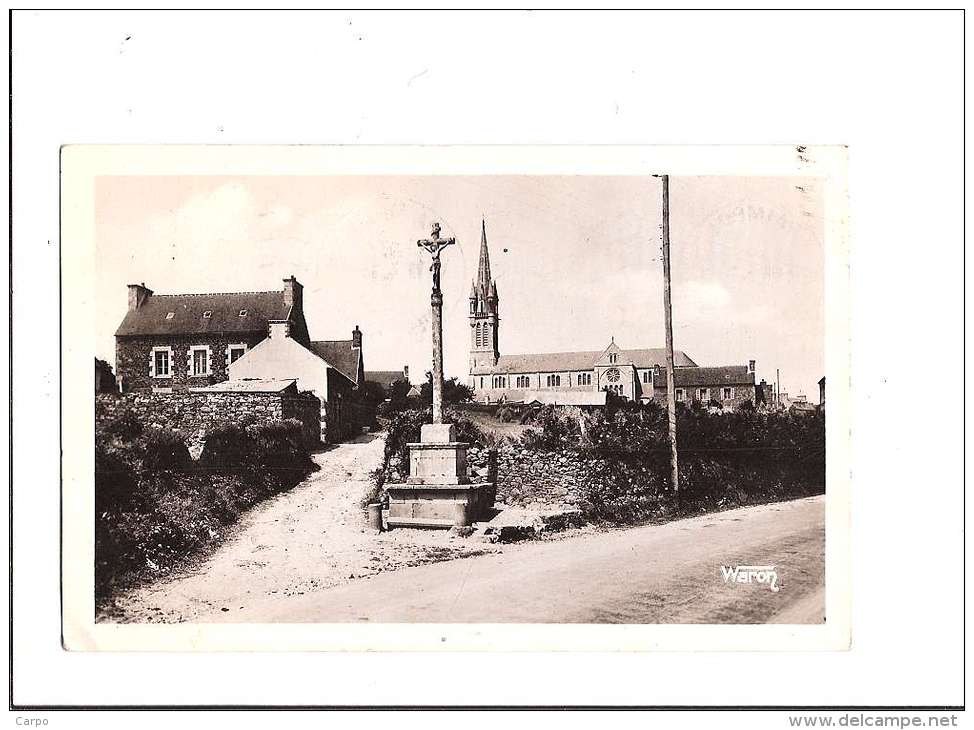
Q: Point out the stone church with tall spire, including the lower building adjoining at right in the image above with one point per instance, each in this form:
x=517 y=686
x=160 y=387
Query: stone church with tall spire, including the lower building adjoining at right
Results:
x=582 y=378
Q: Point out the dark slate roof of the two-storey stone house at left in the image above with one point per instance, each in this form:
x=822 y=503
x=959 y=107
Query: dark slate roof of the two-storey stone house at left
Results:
x=187 y=314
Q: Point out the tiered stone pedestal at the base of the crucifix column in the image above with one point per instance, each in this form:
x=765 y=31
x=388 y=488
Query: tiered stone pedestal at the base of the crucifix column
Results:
x=438 y=492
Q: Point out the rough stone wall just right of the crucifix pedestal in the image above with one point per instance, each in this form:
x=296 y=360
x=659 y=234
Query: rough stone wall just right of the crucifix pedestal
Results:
x=528 y=478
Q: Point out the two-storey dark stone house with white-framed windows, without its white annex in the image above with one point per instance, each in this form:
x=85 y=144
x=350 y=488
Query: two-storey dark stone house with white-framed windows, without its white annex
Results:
x=171 y=342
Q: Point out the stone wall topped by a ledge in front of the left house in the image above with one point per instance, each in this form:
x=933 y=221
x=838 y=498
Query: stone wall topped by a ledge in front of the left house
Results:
x=192 y=414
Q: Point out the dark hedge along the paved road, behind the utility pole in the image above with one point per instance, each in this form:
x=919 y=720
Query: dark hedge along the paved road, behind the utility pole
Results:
x=726 y=459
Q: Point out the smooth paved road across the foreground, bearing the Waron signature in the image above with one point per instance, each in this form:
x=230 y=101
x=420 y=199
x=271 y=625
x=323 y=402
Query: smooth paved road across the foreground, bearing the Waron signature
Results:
x=653 y=574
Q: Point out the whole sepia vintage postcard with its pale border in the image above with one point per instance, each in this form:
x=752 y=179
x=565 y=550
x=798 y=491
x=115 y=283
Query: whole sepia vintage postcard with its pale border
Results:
x=455 y=398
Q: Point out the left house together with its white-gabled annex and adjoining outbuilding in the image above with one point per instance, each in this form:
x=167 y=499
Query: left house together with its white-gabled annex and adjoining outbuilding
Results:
x=169 y=343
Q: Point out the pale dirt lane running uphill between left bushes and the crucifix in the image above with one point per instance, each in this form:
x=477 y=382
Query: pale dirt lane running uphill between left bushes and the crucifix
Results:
x=300 y=542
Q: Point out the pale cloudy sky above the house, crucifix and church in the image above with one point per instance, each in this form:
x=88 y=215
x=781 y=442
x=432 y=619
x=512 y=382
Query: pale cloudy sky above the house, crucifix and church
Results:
x=577 y=260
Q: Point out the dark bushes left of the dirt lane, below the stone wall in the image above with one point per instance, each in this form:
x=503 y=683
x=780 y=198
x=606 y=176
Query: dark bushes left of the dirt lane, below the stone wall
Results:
x=154 y=507
